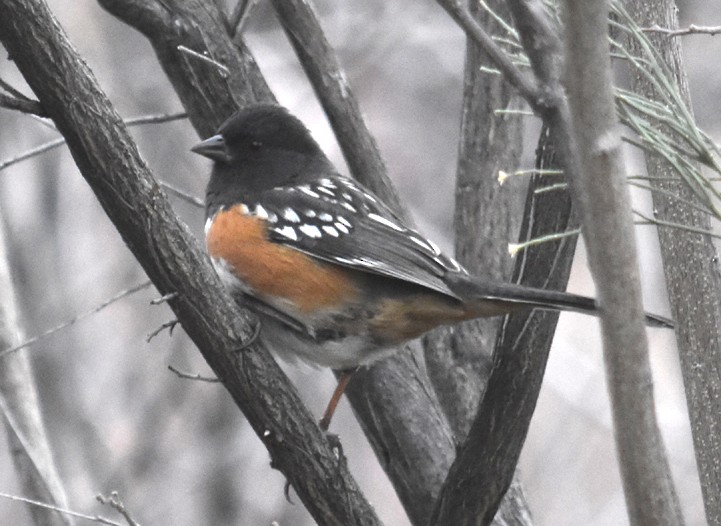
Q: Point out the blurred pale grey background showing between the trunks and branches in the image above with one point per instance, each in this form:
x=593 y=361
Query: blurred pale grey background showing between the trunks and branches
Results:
x=178 y=451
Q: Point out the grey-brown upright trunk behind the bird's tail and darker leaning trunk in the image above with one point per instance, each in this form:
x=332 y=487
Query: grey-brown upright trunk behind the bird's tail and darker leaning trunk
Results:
x=487 y=216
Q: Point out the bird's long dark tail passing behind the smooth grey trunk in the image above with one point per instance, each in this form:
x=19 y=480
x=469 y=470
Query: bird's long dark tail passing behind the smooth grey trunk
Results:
x=485 y=298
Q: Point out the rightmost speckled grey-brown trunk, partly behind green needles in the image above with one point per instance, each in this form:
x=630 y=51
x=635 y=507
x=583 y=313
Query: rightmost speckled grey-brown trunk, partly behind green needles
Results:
x=691 y=267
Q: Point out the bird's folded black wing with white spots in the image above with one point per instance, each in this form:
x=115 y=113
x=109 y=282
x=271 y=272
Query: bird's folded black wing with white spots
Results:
x=335 y=220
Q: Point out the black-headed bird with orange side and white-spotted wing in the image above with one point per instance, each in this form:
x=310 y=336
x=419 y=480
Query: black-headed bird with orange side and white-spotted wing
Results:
x=336 y=278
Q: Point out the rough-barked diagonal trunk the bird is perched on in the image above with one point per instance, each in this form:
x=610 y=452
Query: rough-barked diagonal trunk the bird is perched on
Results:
x=108 y=159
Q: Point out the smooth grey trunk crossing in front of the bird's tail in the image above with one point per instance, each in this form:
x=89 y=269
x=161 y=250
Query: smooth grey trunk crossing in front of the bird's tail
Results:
x=608 y=230
